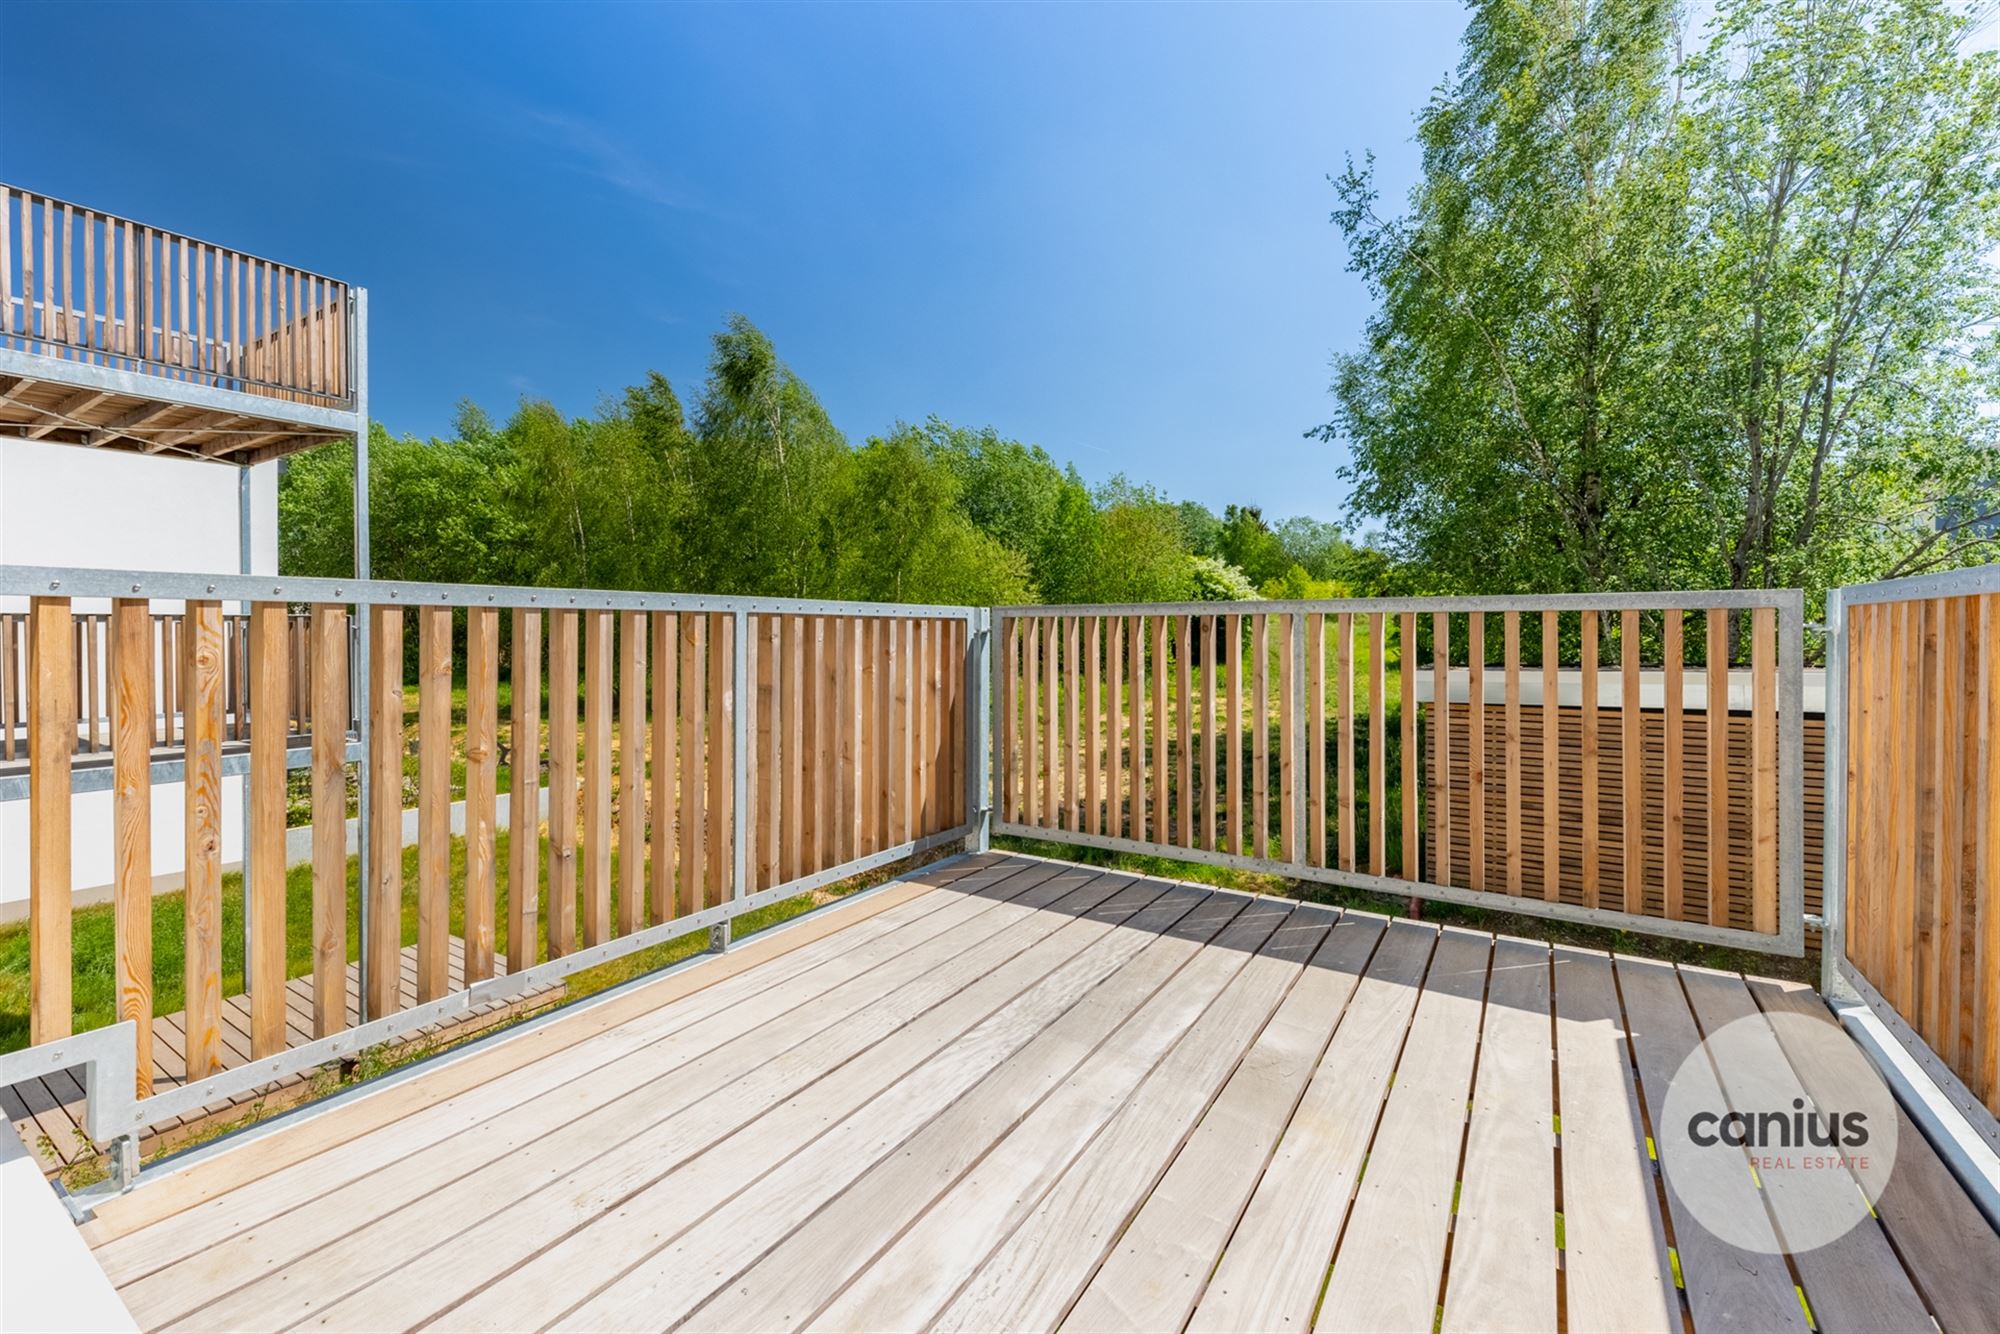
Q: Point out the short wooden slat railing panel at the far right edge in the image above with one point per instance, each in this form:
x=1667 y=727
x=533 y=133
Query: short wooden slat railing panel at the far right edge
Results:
x=1921 y=783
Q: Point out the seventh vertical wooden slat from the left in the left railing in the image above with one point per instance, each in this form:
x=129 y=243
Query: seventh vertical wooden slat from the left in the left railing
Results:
x=433 y=803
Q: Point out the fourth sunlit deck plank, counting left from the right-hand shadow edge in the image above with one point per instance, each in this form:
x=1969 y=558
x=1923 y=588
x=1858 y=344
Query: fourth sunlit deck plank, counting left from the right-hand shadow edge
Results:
x=1277 y=1259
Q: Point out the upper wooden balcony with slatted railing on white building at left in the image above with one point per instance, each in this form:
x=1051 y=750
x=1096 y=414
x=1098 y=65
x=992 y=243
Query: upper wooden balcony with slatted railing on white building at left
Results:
x=129 y=337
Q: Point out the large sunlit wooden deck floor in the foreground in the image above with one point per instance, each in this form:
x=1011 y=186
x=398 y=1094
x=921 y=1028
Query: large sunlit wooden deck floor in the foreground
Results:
x=1025 y=1095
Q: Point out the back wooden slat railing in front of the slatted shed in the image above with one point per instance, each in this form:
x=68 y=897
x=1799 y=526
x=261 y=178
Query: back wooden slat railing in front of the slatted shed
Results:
x=1345 y=745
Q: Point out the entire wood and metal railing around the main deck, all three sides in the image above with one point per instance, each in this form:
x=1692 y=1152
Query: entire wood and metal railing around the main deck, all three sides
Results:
x=709 y=757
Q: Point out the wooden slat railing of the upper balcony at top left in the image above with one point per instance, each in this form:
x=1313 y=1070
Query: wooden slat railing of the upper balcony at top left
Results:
x=99 y=289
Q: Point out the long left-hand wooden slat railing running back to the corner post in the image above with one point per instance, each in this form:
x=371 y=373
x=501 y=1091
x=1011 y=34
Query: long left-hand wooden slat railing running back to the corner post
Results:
x=853 y=753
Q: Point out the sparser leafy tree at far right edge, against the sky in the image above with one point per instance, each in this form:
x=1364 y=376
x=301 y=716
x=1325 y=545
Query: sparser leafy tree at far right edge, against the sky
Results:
x=1829 y=385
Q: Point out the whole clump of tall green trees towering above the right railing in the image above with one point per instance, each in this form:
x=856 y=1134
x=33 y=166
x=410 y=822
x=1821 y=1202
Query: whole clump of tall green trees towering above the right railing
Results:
x=1657 y=323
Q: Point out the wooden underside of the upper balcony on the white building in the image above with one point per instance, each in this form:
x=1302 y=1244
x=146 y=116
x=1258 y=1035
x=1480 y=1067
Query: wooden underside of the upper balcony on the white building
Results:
x=139 y=425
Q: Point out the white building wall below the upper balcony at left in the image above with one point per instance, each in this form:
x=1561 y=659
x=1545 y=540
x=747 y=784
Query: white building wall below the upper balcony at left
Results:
x=65 y=505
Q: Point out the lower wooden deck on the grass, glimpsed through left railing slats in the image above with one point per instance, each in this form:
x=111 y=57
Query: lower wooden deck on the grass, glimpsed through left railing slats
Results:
x=49 y=1115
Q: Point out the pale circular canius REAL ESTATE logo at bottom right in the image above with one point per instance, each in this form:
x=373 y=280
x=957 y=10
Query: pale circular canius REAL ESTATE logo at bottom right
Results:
x=1771 y=1161
